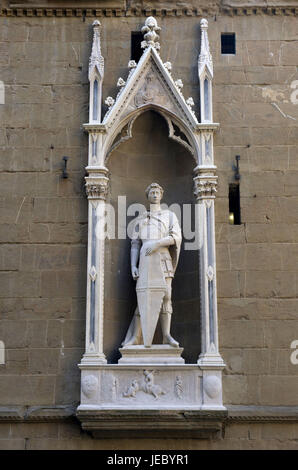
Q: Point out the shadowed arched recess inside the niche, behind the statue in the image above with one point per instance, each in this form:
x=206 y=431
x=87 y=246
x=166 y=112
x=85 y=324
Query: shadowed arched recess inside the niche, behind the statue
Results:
x=150 y=156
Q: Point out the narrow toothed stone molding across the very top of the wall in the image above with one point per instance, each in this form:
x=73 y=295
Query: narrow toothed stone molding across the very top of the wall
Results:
x=243 y=10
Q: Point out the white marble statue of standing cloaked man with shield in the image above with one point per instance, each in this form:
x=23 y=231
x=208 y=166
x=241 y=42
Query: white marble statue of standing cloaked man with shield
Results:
x=155 y=248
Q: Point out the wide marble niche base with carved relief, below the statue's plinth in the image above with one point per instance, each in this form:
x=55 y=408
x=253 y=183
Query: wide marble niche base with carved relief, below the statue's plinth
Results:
x=150 y=400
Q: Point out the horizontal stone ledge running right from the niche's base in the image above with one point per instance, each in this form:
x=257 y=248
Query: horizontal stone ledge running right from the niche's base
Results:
x=262 y=414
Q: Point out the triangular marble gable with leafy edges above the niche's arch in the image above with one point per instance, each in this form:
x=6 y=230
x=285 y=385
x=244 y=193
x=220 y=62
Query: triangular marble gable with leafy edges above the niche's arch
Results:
x=149 y=83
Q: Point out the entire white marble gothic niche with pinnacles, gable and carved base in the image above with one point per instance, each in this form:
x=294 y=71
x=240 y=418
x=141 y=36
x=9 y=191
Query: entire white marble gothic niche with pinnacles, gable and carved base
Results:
x=128 y=149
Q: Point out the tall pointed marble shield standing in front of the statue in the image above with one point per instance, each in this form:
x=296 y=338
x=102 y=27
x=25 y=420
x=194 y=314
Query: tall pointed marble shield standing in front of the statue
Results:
x=151 y=289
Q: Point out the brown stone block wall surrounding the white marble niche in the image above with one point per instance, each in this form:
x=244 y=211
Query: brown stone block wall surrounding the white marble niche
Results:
x=43 y=64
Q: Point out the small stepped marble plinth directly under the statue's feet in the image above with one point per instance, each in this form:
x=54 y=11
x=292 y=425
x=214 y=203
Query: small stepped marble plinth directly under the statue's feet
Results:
x=156 y=354
